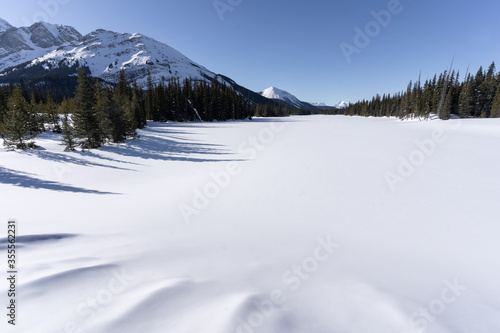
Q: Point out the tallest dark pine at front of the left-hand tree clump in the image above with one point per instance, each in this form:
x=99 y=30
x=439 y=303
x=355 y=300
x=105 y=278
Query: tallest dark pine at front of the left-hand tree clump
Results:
x=85 y=120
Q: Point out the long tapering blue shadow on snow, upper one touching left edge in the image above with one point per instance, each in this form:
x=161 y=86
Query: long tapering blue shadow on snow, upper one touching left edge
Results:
x=21 y=179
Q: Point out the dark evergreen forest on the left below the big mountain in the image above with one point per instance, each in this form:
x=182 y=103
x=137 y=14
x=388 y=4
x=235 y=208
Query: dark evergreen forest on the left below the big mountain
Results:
x=100 y=113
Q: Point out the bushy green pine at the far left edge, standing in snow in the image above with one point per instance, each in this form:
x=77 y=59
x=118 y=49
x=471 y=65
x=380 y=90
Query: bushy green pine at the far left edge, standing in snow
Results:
x=16 y=127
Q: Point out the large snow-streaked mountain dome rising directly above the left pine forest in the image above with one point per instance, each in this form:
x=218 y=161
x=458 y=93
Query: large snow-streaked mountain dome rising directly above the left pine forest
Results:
x=105 y=53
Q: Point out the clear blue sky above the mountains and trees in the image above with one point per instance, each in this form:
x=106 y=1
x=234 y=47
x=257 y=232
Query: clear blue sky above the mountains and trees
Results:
x=295 y=45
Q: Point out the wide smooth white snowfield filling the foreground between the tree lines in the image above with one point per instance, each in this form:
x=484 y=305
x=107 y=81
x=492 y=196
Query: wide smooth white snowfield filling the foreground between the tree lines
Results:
x=315 y=224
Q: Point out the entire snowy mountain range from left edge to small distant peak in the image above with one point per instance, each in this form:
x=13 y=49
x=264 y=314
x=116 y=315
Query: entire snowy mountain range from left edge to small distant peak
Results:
x=44 y=52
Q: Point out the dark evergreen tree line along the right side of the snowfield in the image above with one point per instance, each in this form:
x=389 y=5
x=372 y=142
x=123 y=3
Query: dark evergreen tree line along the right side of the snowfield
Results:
x=445 y=95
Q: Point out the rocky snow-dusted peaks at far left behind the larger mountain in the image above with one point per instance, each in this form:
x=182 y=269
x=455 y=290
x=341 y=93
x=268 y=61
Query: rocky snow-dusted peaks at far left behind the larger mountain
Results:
x=18 y=45
